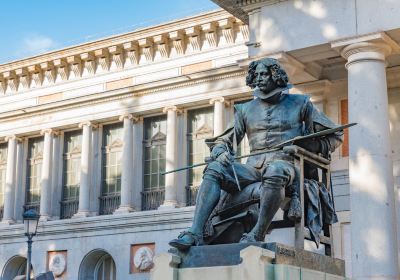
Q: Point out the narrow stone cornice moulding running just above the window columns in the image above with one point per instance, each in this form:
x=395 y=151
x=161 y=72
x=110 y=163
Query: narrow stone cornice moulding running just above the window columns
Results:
x=127 y=92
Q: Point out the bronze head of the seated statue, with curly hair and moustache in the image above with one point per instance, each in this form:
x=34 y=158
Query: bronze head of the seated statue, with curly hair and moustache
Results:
x=266 y=76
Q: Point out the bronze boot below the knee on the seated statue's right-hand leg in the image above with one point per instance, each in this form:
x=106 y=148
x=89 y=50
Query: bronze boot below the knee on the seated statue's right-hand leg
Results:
x=271 y=197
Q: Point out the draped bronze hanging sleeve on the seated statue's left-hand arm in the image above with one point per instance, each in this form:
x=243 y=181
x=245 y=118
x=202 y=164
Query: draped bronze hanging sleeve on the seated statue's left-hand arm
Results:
x=233 y=134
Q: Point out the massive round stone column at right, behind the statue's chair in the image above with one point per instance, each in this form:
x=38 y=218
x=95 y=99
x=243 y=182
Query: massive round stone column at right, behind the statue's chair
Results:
x=373 y=223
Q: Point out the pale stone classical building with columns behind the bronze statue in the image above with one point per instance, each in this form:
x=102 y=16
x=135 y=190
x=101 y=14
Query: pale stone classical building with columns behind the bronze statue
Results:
x=85 y=131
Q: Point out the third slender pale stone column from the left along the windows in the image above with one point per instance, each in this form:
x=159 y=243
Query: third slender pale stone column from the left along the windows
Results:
x=84 y=188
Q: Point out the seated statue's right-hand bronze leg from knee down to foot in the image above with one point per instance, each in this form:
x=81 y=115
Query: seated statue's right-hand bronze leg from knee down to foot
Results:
x=276 y=177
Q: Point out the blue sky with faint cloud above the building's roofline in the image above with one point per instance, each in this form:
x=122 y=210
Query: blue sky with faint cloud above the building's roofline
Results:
x=31 y=27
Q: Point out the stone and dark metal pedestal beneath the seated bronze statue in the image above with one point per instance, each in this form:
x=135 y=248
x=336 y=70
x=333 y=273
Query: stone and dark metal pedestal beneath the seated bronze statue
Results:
x=261 y=261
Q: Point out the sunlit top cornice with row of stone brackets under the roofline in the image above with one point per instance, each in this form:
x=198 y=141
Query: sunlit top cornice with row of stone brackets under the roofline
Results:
x=190 y=35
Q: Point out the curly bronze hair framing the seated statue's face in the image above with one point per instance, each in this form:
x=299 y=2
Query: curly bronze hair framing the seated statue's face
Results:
x=279 y=75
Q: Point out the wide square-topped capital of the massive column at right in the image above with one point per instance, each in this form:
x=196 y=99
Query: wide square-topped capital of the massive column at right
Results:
x=376 y=46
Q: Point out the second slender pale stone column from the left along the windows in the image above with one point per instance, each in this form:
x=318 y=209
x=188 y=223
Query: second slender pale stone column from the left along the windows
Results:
x=45 y=181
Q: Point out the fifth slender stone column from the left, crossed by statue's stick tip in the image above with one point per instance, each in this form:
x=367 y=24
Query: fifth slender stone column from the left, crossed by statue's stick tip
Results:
x=171 y=196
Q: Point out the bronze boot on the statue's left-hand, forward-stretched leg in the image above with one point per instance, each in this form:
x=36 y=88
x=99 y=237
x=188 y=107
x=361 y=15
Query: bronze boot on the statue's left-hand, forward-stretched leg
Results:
x=207 y=199
